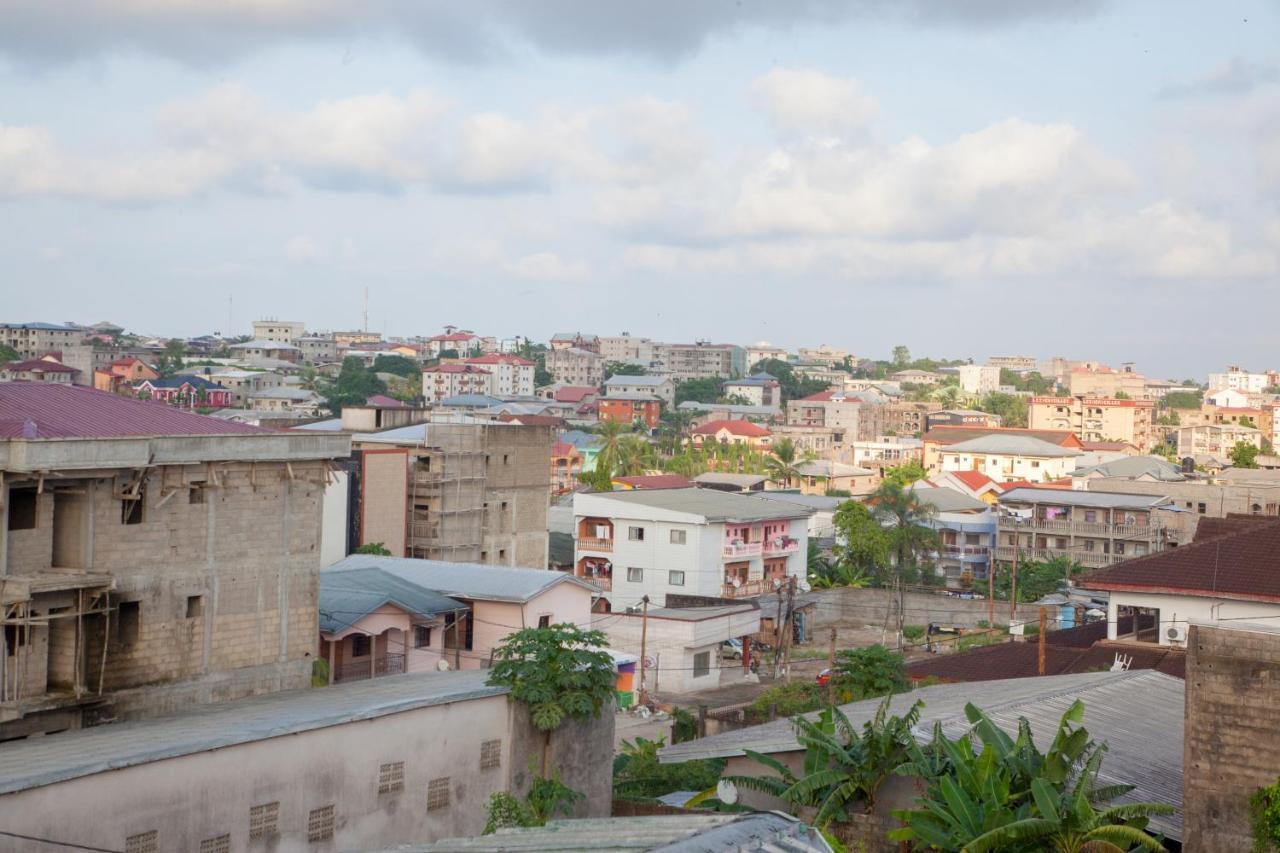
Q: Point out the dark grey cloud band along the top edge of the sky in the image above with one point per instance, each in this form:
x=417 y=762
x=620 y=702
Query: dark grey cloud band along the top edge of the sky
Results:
x=200 y=33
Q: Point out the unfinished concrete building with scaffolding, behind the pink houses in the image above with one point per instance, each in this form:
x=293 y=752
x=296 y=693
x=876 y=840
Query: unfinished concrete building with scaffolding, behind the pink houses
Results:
x=465 y=492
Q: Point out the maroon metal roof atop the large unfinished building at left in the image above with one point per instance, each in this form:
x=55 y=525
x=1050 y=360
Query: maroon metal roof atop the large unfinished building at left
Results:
x=45 y=410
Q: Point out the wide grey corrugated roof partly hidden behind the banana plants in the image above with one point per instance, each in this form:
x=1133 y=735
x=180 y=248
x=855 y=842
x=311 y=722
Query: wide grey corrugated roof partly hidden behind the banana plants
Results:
x=1137 y=714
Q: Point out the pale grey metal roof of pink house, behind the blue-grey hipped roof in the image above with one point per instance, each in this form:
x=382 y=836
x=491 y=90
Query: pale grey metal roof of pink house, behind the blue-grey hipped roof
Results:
x=470 y=581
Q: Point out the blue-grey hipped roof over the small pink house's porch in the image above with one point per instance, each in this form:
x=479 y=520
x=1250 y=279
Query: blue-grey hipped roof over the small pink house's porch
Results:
x=348 y=597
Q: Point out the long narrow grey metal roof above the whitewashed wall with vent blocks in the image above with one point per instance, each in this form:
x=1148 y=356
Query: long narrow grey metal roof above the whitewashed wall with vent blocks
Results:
x=71 y=755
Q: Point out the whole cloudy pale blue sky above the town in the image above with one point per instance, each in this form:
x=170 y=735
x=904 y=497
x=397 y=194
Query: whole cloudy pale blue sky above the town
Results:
x=1089 y=179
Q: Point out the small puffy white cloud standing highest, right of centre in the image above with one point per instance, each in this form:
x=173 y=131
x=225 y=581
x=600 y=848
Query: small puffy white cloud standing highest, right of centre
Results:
x=813 y=103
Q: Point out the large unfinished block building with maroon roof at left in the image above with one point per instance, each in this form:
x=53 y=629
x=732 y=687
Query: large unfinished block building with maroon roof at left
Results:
x=150 y=559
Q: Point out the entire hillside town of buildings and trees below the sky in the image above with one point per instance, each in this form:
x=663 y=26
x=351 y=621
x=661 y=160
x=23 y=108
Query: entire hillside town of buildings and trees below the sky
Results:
x=364 y=544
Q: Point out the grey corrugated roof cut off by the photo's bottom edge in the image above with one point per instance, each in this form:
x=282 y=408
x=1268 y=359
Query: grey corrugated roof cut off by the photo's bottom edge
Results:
x=693 y=833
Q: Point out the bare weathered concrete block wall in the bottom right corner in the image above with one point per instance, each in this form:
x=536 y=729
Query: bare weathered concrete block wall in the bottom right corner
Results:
x=1233 y=737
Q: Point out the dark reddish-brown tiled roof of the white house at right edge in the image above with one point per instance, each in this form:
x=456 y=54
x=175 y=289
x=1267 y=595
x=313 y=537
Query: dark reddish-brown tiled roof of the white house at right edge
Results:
x=1237 y=565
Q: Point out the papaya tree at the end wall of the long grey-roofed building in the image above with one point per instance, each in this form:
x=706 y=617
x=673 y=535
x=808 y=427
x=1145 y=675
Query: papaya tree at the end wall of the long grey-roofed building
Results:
x=561 y=673
